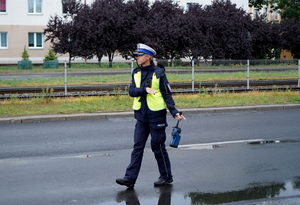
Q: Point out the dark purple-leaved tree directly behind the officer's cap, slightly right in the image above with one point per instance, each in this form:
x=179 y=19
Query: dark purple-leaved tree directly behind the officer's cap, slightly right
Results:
x=165 y=30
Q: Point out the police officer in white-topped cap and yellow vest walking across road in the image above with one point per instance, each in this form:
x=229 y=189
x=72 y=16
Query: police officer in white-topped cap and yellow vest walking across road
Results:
x=152 y=95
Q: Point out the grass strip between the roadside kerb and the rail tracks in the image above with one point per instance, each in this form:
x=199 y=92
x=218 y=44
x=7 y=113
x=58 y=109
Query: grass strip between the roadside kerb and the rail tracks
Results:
x=48 y=105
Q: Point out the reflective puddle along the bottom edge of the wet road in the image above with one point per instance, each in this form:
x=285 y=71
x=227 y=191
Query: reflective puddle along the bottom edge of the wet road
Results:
x=253 y=192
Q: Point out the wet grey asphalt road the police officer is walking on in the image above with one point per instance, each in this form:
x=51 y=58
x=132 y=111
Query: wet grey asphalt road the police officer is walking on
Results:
x=76 y=162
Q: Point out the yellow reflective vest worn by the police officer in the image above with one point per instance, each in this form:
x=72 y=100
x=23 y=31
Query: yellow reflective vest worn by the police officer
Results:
x=155 y=102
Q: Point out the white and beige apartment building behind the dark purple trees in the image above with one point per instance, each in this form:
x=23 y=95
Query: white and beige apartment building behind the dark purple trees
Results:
x=22 y=23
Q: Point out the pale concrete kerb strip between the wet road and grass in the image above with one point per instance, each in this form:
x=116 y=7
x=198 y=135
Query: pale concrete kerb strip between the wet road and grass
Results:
x=117 y=114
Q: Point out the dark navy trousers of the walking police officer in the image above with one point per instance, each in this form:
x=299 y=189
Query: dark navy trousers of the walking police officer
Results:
x=158 y=138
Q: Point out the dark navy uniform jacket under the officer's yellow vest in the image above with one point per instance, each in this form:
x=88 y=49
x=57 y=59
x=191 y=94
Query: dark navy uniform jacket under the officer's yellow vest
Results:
x=144 y=113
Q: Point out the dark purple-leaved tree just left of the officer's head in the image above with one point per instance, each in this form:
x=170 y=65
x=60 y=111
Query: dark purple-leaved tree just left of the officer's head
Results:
x=111 y=27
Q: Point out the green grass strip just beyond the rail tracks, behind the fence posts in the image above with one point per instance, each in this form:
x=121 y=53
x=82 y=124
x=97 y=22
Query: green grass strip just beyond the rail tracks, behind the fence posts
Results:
x=173 y=78
